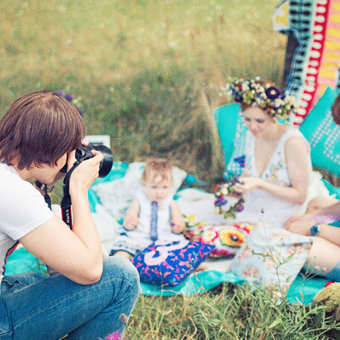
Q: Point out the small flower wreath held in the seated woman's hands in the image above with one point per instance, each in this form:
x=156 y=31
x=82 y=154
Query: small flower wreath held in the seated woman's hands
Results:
x=221 y=192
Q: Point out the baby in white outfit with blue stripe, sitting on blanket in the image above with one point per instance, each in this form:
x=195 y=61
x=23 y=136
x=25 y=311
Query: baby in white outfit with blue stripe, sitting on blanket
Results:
x=153 y=215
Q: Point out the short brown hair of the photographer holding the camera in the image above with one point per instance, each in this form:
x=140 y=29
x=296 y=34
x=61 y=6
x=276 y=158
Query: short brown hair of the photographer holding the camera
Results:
x=39 y=128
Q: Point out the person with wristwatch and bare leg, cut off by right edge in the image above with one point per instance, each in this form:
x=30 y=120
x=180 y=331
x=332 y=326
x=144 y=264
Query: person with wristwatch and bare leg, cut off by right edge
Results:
x=322 y=220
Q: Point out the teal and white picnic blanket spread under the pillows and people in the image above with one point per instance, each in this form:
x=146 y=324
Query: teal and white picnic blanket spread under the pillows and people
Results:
x=116 y=190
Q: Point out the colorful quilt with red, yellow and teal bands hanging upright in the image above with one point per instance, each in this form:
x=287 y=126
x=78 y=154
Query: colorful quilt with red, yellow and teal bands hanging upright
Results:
x=315 y=24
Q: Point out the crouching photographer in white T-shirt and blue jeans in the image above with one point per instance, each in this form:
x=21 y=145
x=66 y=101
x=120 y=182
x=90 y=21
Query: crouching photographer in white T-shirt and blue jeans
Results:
x=91 y=297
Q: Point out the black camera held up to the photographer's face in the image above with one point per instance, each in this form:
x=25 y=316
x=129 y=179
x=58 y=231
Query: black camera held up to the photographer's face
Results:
x=84 y=152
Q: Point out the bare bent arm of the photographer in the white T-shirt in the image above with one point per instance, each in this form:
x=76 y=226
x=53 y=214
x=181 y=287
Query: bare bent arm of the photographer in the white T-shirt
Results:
x=76 y=253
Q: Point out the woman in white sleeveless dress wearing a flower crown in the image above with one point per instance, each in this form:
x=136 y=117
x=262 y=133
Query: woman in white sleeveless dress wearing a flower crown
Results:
x=277 y=169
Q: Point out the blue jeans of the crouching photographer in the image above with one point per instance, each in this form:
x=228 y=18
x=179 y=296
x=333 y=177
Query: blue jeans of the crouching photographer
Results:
x=35 y=306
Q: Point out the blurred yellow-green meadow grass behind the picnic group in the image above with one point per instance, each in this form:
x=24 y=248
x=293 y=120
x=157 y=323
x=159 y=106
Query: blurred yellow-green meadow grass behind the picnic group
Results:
x=147 y=72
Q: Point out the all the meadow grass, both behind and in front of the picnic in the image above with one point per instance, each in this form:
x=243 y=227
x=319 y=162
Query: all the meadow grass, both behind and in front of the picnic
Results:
x=148 y=73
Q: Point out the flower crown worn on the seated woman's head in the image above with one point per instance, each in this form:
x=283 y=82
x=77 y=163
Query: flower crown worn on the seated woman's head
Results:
x=262 y=94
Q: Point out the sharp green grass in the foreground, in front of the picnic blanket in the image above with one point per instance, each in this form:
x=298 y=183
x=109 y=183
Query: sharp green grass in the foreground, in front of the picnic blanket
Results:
x=229 y=312
